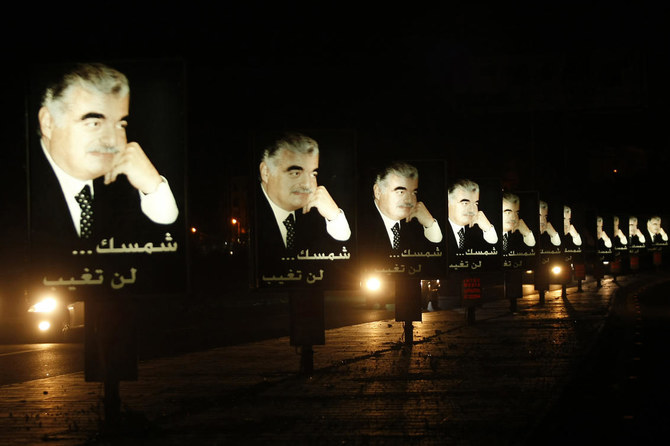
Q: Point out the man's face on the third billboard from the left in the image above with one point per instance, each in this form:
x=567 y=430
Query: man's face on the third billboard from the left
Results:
x=398 y=197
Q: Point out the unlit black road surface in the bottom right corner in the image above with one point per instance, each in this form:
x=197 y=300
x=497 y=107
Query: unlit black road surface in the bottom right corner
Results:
x=621 y=395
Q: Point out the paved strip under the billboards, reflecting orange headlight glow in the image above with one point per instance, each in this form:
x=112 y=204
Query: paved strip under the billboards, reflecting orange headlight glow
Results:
x=484 y=383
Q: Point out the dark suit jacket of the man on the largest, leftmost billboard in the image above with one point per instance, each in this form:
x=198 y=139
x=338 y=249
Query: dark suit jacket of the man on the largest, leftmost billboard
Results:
x=53 y=238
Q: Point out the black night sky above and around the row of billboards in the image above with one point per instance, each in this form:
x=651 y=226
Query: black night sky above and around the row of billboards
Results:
x=566 y=97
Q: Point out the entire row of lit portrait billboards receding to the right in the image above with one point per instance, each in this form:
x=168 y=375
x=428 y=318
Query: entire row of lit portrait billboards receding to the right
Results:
x=120 y=134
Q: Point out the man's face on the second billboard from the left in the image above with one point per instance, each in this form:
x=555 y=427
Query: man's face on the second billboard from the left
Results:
x=292 y=180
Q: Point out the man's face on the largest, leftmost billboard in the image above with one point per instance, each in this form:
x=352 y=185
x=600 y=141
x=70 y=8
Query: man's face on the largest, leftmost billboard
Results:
x=91 y=130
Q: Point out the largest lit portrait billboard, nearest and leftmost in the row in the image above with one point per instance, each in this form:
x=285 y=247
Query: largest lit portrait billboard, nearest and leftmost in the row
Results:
x=106 y=151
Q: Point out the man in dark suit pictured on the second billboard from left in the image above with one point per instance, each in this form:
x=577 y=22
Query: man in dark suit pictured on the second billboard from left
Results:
x=294 y=213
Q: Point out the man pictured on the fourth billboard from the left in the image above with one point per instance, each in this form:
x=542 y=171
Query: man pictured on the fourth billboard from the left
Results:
x=470 y=229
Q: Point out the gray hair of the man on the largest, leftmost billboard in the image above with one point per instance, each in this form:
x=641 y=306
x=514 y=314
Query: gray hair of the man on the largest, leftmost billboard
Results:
x=94 y=77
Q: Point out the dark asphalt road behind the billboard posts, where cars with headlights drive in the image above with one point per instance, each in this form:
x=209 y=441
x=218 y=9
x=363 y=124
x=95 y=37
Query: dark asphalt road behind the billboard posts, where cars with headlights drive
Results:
x=174 y=329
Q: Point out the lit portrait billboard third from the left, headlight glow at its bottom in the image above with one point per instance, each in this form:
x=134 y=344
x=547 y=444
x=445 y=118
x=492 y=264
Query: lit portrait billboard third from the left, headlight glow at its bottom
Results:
x=400 y=228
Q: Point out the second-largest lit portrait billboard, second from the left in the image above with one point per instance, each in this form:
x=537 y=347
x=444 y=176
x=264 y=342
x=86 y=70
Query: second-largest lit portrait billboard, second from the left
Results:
x=303 y=208
